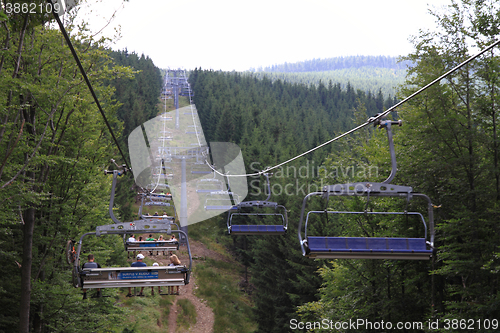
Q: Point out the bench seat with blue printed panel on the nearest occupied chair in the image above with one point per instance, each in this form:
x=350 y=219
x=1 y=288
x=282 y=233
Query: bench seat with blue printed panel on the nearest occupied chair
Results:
x=118 y=277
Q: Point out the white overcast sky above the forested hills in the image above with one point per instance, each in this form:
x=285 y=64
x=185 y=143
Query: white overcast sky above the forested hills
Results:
x=238 y=34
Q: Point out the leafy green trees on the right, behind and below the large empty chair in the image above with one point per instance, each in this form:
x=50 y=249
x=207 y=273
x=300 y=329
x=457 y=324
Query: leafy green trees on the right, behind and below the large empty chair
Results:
x=447 y=149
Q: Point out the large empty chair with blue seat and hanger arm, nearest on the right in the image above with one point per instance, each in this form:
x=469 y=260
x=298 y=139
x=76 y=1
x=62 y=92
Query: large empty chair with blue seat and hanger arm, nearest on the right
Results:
x=368 y=247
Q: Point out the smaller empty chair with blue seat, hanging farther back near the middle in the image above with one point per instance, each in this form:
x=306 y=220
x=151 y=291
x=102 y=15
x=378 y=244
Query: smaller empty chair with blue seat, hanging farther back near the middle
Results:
x=258 y=208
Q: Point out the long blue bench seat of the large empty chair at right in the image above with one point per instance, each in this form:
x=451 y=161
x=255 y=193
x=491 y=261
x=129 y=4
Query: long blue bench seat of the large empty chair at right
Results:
x=367 y=248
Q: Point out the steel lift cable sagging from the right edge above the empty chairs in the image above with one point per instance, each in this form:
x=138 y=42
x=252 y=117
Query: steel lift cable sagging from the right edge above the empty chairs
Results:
x=369 y=121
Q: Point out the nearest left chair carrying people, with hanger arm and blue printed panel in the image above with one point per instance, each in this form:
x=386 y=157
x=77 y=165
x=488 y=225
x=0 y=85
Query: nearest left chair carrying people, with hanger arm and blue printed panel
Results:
x=117 y=277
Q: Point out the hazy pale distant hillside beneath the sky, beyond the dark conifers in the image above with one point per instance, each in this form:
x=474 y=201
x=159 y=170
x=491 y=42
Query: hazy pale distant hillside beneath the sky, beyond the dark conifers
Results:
x=366 y=73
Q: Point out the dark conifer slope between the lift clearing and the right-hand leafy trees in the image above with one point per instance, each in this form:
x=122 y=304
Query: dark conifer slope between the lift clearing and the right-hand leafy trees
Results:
x=271 y=122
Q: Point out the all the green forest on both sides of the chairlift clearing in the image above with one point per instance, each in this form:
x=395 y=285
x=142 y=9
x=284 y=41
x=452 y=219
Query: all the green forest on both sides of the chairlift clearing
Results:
x=54 y=146
